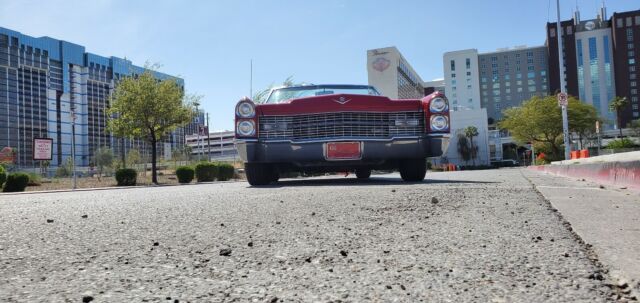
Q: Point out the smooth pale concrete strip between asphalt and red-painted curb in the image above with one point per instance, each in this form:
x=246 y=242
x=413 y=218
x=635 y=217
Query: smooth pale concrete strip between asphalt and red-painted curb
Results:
x=608 y=219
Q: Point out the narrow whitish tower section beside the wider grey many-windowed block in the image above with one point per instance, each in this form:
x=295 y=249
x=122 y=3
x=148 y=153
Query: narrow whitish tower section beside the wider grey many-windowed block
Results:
x=461 y=79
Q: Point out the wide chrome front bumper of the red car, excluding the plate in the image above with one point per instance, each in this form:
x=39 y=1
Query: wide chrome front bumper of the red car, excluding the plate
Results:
x=313 y=153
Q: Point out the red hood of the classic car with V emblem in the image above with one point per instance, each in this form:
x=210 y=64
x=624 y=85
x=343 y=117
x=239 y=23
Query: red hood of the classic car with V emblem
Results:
x=338 y=103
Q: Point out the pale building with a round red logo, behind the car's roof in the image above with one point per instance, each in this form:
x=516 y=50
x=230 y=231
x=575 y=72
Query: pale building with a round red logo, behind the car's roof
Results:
x=391 y=74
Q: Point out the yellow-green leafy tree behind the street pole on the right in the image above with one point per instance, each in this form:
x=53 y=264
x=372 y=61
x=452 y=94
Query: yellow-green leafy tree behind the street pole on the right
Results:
x=539 y=120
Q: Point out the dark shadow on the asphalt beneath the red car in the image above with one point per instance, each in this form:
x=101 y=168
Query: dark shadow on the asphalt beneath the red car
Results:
x=350 y=181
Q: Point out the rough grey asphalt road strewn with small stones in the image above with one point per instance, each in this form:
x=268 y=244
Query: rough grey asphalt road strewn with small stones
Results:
x=478 y=236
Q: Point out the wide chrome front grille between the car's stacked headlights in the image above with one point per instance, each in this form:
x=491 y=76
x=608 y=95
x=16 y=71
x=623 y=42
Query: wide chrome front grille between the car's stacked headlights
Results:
x=341 y=125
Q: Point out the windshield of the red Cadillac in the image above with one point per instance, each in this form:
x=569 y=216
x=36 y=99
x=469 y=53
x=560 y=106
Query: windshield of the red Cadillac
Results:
x=287 y=93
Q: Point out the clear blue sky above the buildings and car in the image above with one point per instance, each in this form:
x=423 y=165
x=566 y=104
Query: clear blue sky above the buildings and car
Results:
x=210 y=43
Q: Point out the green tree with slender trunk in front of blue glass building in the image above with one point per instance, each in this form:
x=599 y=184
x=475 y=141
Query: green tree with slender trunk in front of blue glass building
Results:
x=146 y=108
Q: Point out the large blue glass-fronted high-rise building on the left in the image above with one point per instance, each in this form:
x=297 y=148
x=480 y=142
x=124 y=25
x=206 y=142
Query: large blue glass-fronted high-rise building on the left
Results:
x=45 y=83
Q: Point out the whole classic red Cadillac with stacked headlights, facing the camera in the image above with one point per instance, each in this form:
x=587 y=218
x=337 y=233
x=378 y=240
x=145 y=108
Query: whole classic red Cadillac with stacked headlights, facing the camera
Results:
x=339 y=128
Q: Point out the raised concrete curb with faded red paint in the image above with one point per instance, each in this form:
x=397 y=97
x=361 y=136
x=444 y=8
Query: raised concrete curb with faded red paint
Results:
x=622 y=170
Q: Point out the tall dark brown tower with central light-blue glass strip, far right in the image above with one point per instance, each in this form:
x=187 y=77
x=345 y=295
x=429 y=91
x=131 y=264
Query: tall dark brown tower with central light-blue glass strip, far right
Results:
x=600 y=61
